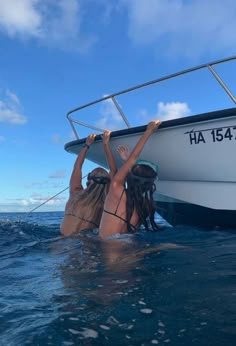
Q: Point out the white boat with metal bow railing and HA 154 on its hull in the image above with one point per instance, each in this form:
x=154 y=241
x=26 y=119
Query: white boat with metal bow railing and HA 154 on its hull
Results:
x=195 y=155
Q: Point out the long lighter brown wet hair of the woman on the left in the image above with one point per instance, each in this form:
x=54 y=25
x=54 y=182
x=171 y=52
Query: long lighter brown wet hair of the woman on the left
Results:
x=92 y=198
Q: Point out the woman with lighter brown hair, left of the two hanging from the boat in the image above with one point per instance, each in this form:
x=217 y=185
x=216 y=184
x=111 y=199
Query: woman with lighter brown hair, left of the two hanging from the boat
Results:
x=84 y=207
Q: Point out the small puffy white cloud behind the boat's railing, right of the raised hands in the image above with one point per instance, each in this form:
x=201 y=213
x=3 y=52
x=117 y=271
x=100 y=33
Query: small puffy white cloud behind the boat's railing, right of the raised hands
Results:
x=172 y=110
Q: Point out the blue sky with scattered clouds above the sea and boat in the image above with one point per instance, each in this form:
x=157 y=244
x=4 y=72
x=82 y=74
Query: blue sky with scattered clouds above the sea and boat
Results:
x=56 y=55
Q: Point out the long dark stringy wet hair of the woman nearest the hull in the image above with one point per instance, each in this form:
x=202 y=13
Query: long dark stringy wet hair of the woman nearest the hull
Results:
x=139 y=192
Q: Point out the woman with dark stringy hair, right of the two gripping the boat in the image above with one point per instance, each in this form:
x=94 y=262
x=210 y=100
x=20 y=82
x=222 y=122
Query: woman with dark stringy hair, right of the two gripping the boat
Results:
x=126 y=208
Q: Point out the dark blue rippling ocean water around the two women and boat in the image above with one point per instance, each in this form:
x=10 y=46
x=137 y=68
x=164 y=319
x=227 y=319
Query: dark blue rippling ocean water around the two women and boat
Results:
x=138 y=289
